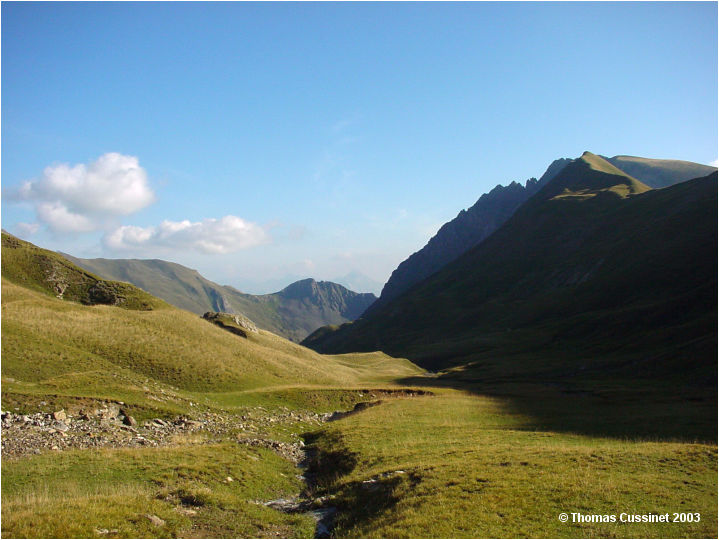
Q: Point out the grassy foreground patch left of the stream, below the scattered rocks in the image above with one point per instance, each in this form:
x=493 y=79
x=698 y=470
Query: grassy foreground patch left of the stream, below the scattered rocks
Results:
x=108 y=493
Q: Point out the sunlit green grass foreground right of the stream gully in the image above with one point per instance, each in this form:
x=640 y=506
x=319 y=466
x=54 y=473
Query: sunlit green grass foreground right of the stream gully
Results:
x=457 y=465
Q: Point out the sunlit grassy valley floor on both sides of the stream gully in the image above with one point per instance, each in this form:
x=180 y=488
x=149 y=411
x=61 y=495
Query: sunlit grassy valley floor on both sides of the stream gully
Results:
x=447 y=464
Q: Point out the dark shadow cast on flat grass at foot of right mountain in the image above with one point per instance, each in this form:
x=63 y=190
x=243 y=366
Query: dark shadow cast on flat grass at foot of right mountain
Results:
x=616 y=407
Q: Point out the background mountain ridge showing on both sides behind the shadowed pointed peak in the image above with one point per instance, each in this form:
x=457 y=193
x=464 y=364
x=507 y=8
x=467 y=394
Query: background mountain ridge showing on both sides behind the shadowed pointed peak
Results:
x=493 y=209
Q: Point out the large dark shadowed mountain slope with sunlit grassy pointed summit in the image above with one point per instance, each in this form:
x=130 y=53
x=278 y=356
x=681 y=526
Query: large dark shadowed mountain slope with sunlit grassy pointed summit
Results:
x=594 y=272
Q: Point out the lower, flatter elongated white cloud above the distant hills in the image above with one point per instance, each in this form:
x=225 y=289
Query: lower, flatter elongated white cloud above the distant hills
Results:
x=215 y=236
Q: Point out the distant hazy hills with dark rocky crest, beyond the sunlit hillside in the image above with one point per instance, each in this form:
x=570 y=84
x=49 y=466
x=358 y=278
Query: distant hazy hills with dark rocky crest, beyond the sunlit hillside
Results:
x=293 y=313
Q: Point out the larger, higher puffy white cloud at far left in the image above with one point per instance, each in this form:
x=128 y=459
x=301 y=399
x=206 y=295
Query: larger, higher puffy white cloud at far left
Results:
x=82 y=197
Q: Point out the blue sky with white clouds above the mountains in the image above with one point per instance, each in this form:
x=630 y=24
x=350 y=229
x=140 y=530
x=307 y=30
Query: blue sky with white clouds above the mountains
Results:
x=261 y=143
